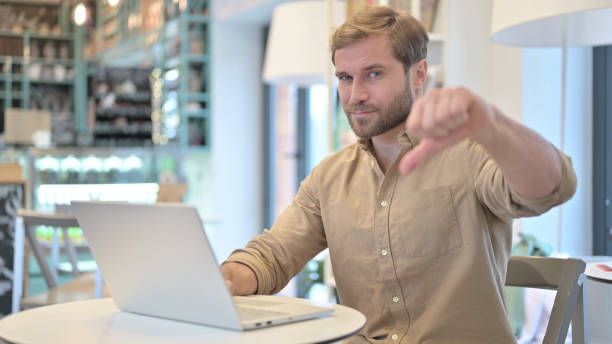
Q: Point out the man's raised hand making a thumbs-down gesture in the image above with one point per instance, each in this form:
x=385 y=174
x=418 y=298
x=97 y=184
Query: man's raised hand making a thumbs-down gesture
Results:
x=441 y=119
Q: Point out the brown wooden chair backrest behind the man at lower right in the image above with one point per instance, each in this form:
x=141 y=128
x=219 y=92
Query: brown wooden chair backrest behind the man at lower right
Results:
x=564 y=275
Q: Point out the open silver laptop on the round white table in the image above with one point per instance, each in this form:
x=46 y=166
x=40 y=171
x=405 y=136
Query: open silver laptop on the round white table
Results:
x=156 y=260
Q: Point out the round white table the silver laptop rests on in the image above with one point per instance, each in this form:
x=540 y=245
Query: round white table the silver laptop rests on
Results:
x=99 y=321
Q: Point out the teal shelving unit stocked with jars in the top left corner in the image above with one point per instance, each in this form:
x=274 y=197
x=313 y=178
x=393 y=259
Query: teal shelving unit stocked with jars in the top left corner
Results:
x=44 y=70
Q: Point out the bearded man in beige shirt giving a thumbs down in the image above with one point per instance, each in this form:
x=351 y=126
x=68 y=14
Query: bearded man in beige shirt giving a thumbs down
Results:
x=421 y=253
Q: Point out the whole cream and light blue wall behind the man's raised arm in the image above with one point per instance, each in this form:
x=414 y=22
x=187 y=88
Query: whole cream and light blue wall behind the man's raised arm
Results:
x=525 y=85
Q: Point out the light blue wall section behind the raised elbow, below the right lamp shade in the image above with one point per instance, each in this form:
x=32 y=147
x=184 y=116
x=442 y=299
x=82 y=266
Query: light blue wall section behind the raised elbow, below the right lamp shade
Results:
x=541 y=112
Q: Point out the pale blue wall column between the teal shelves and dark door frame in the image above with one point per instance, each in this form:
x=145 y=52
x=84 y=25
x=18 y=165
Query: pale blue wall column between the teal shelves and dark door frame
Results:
x=236 y=147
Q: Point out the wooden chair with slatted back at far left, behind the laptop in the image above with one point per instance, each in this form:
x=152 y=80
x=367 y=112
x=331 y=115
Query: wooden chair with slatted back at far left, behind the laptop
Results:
x=84 y=286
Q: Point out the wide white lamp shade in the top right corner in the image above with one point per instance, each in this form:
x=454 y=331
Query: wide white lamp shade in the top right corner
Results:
x=539 y=23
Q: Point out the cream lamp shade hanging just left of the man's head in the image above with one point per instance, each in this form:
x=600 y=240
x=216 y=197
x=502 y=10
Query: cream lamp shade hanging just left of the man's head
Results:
x=297 y=51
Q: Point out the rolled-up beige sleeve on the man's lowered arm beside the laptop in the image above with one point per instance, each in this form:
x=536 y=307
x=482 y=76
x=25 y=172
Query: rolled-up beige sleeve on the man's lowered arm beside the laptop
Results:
x=297 y=236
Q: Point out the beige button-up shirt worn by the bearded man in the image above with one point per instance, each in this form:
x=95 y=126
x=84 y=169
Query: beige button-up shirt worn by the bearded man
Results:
x=423 y=256
